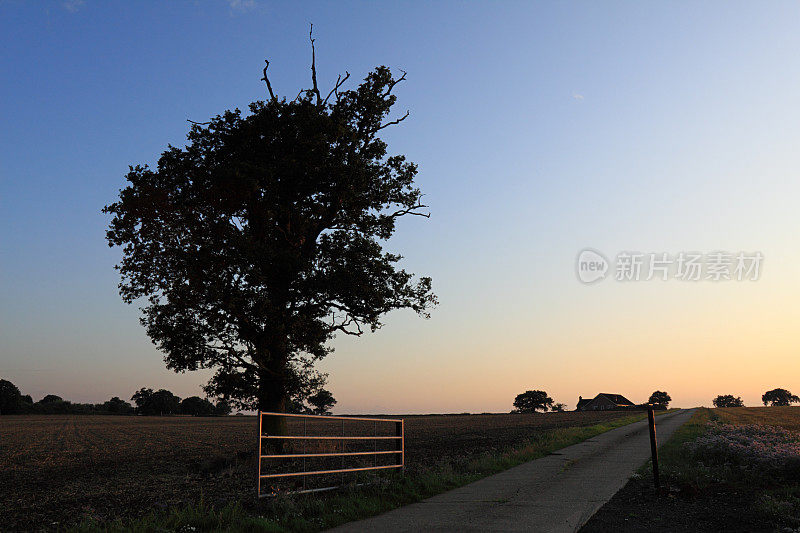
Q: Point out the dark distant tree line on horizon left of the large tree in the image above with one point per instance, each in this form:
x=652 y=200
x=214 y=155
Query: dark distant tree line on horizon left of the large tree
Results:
x=147 y=402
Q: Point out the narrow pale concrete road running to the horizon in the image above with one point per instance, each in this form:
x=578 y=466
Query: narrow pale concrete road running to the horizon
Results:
x=556 y=493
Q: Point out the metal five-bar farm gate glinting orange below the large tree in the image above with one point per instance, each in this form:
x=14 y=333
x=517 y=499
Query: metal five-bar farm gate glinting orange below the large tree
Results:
x=327 y=444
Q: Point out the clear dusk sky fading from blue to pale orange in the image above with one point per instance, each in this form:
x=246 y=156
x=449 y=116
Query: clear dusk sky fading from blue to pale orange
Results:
x=540 y=130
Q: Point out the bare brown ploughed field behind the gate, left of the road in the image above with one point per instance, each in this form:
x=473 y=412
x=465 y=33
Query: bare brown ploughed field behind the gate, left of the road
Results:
x=57 y=470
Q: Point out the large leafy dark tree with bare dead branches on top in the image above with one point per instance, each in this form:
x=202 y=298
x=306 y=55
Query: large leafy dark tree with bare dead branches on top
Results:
x=263 y=237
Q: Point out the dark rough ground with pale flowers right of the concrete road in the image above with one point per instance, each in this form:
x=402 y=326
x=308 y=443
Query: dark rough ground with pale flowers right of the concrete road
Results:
x=708 y=486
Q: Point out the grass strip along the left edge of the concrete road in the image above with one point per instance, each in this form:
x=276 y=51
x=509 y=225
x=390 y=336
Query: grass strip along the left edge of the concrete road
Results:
x=316 y=512
